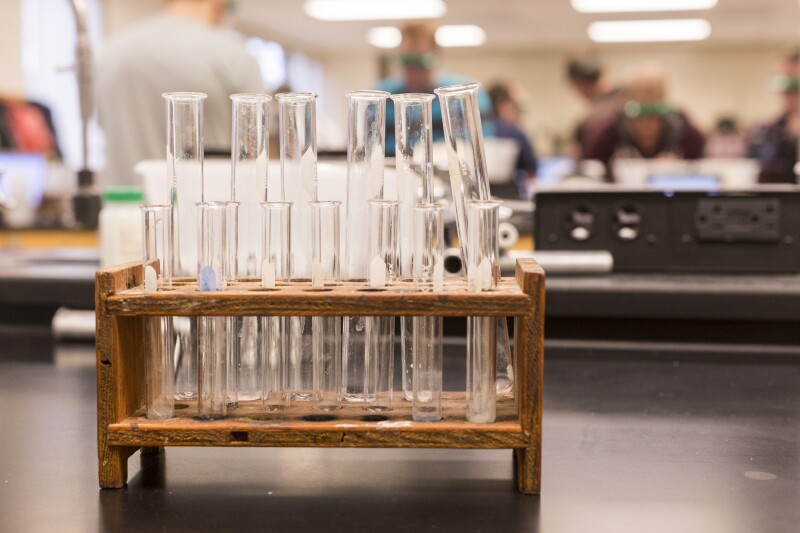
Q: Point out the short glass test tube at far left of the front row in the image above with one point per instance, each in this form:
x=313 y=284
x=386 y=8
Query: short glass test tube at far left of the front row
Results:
x=158 y=341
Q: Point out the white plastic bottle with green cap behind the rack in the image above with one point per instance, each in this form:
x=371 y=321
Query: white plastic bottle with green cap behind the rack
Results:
x=120 y=226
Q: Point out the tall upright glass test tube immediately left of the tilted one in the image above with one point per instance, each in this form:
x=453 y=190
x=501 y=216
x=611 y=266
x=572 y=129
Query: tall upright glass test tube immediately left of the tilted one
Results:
x=414 y=166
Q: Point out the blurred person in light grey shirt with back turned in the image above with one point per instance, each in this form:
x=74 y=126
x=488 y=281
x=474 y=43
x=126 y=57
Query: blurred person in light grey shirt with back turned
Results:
x=180 y=49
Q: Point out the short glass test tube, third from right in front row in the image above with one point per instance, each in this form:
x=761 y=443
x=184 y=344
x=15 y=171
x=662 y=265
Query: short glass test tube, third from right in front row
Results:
x=379 y=356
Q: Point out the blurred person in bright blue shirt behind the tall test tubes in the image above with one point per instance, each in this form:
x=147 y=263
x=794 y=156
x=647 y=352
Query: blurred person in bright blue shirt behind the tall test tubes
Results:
x=419 y=58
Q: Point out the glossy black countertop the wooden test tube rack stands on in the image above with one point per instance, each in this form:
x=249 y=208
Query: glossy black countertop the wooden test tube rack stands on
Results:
x=635 y=443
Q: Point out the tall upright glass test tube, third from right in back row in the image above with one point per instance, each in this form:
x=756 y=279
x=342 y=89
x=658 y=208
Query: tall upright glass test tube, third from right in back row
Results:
x=366 y=124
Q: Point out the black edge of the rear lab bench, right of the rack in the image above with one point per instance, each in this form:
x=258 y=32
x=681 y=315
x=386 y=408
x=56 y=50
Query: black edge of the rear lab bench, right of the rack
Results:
x=726 y=313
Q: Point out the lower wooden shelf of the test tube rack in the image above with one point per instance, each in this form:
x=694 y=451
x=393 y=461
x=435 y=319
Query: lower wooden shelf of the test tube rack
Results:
x=302 y=425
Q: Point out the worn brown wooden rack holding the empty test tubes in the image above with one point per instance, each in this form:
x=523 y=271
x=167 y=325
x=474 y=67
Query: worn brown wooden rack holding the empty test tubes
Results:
x=122 y=307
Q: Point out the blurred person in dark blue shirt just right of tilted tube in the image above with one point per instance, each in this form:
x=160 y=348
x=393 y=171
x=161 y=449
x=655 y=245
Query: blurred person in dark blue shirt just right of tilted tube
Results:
x=505 y=125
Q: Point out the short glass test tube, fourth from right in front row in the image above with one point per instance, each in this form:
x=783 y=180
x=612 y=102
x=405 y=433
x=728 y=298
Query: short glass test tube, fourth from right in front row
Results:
x=326 y=331
